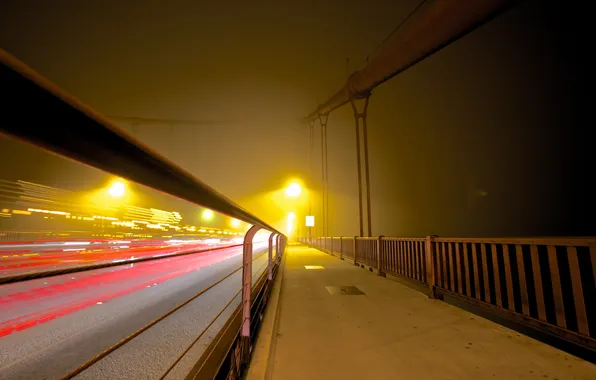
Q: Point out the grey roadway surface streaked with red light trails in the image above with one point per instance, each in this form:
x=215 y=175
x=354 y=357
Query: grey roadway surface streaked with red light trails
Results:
x=53 y=325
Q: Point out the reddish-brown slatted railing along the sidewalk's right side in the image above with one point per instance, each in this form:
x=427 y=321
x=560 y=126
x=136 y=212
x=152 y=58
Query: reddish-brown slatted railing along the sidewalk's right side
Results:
x=545 y=283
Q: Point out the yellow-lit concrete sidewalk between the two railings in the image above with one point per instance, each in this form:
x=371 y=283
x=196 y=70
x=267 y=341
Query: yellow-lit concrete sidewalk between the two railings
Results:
x=315 y=330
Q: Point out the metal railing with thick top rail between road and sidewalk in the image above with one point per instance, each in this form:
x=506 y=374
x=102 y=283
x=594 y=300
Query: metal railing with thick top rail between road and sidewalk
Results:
x=37 y=112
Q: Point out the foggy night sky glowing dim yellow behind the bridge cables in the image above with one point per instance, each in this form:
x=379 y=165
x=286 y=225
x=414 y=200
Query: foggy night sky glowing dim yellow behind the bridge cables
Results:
x=490 y=136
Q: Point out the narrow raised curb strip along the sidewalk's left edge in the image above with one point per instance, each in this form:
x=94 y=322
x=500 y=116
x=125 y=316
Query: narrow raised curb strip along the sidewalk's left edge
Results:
x=261 y=364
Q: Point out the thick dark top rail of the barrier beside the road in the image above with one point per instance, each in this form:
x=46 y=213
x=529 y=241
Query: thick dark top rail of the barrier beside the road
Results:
x=72 y=129
